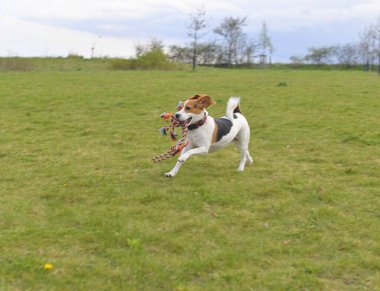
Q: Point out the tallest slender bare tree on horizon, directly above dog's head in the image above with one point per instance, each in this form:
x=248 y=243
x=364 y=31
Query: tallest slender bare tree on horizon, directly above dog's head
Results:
x=196 y=26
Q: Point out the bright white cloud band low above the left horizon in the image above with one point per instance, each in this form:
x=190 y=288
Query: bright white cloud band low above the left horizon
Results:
x=31 y=39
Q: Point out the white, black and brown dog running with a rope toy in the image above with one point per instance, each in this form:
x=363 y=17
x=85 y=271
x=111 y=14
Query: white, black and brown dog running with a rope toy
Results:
x=206 y=134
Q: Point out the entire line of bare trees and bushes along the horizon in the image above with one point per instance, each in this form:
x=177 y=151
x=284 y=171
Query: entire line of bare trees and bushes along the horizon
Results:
x=233 y=47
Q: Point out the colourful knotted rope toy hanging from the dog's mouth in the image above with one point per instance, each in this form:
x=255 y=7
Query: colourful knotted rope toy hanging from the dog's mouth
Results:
x=181 y=143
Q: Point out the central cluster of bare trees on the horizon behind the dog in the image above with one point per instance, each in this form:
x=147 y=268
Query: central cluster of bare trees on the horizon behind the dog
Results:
x=231 y=47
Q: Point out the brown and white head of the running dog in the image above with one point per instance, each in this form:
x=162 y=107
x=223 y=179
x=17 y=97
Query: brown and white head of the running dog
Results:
x=193 y=108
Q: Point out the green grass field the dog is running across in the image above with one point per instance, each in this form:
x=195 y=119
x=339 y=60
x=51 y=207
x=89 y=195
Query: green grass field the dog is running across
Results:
x=78 y=189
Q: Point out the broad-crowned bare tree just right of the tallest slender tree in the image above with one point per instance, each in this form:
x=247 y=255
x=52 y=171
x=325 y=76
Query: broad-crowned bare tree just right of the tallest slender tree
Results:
x=231 y=30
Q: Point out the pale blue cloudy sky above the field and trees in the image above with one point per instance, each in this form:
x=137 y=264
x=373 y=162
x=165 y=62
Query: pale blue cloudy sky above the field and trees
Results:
x=113 y=27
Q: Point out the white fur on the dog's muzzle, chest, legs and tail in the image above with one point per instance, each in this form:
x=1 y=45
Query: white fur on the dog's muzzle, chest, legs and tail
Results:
x=200 y=139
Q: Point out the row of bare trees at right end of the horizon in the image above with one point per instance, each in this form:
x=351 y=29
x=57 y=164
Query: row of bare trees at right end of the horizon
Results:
x=364 y=52
